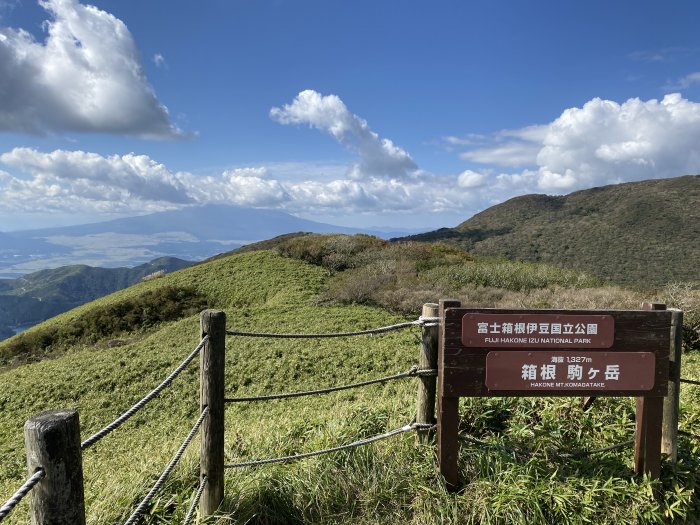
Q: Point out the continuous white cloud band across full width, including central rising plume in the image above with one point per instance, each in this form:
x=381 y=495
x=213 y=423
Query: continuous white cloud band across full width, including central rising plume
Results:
x=603 y=142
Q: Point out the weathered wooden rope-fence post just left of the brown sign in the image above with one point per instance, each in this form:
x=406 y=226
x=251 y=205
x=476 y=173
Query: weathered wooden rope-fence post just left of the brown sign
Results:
x=425 y=407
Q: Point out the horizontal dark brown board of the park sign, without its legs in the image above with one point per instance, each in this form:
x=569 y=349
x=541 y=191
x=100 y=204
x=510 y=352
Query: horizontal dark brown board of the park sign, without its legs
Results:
x=462 y=370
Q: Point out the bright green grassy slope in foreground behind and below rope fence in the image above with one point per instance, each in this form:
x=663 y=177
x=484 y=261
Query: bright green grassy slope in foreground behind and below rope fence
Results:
x=394 y=481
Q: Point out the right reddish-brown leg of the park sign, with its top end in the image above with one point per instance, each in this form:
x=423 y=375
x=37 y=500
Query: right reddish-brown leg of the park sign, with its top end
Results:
x=649 y=416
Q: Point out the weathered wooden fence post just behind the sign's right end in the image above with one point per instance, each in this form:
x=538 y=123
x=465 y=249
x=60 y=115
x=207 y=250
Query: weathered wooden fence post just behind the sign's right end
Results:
x=669 y=437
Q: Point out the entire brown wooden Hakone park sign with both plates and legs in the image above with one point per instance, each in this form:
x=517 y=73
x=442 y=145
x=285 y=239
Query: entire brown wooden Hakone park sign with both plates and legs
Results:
x=499 y=352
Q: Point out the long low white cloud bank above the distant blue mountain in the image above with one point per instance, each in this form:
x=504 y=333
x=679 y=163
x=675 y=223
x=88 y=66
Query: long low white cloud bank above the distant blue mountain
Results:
x=88 y=182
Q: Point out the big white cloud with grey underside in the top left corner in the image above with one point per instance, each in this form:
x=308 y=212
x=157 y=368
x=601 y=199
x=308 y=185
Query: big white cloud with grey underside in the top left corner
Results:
x=85 y=77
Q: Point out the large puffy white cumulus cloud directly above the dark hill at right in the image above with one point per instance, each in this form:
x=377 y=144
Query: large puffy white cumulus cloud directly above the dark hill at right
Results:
x=603 y=142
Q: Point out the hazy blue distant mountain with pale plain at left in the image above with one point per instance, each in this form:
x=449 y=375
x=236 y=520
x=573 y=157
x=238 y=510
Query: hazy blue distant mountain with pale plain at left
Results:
x=190 y=233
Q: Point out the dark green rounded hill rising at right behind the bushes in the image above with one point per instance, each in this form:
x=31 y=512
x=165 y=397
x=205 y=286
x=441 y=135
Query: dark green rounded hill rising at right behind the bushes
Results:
x=641 y=234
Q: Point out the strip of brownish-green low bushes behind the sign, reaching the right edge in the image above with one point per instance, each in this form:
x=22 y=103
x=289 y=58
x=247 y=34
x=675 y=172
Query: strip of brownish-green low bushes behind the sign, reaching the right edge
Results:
x=403 y=276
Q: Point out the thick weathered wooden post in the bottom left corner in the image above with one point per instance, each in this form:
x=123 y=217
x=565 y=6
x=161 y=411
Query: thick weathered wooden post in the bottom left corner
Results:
x=52 y=442
